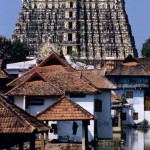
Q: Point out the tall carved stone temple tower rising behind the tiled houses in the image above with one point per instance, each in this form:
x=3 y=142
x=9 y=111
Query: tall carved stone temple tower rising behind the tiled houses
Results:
x=90 y=29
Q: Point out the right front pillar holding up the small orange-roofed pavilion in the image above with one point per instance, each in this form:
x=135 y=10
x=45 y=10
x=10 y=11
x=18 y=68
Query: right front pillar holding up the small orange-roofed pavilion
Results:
x=84 y=135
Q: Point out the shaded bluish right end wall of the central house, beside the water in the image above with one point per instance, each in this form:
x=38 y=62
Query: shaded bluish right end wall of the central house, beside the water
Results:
x=104 y=121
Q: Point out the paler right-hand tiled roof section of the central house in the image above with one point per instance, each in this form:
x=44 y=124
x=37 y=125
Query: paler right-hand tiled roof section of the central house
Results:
x=98 y=80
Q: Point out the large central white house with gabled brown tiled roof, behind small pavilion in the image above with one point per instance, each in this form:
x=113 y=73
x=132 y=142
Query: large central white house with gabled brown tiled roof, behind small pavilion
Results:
x=43 y=85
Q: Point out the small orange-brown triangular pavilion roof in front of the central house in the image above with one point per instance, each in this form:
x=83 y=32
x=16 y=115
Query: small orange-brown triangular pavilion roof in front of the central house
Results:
x=65 y=109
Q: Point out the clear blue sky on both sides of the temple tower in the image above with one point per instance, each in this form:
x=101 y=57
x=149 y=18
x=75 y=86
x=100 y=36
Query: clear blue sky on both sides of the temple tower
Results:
x=138 y=13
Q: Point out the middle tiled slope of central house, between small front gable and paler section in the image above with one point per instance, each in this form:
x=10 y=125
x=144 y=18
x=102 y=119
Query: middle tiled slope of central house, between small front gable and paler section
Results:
x=70 y=82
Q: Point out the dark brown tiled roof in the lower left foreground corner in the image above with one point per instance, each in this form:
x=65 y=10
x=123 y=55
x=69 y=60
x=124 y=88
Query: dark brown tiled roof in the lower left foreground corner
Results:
x=15 y=120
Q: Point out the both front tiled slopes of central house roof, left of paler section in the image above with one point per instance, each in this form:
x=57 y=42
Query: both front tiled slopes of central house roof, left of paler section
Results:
x=55 y=83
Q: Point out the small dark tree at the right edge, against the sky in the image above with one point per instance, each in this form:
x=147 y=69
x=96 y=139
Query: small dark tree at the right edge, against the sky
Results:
x=146 y=48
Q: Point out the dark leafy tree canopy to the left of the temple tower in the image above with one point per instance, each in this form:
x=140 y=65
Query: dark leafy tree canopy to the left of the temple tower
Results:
x=13 y=51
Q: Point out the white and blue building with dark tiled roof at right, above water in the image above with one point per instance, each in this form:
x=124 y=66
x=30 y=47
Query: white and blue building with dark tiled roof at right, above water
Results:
x=132 y=78
